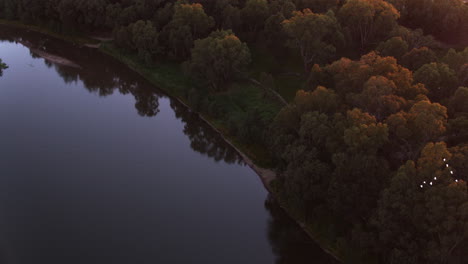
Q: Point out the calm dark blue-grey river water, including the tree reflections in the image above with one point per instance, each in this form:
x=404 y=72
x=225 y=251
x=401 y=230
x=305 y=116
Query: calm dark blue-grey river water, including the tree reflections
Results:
x=97 y=166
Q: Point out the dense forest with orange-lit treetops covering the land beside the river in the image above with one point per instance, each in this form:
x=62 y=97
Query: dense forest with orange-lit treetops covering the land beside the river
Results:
x=361 y=106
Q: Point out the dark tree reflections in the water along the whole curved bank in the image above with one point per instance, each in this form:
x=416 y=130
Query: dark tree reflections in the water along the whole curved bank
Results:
x=103 y=76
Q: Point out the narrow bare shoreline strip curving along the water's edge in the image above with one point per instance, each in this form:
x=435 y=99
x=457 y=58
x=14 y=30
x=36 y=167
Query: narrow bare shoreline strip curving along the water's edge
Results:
x=267 y=176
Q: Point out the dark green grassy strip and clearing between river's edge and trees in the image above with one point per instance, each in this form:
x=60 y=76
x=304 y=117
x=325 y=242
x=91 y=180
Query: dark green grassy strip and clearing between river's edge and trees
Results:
x=232 y=106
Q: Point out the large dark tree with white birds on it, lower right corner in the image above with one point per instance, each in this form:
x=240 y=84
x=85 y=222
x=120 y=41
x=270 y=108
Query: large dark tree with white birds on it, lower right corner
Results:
x=423 y=225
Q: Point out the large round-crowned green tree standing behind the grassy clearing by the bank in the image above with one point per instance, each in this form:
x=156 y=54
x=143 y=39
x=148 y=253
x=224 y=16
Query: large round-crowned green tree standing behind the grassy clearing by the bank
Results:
x=219 y=58
